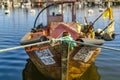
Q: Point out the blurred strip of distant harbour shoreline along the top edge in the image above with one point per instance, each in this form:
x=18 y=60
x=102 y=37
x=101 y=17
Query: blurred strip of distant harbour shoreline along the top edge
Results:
x=41 y=3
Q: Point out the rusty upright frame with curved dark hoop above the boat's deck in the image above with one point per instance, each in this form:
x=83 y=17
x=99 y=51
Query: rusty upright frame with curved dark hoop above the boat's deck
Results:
x=59 y=17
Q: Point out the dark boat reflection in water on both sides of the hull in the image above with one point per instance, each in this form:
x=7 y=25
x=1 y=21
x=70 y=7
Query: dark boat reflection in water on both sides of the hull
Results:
x=31 y=73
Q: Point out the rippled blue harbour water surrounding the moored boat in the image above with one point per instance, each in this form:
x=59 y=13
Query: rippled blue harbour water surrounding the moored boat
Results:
x=20 y=21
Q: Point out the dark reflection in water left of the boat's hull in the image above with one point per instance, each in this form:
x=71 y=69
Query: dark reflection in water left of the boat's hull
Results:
x=31 y=73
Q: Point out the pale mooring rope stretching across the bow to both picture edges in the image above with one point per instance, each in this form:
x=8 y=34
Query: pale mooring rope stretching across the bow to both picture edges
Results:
x=87 y=44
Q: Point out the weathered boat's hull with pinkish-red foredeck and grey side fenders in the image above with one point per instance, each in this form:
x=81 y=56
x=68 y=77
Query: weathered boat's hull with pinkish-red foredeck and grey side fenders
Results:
x=59 y=60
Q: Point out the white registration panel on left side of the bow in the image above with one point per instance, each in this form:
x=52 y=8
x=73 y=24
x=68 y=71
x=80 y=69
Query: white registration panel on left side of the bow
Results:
x=45 y=56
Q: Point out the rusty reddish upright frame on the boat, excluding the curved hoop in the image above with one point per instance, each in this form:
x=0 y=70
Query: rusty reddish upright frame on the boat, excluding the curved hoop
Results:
x=59 y=18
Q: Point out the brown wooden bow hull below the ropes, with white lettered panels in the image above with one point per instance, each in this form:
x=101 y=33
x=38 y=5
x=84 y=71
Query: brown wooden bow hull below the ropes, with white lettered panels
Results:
x=61 y=63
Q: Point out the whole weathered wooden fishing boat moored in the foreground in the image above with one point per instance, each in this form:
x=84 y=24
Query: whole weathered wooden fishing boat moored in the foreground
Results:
x=60 y=49
